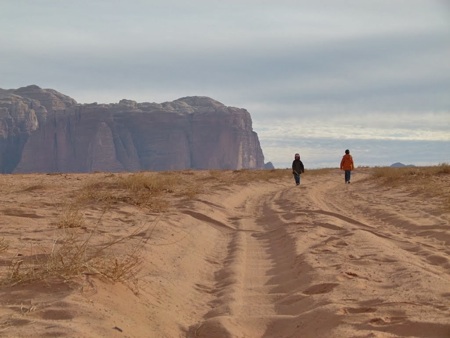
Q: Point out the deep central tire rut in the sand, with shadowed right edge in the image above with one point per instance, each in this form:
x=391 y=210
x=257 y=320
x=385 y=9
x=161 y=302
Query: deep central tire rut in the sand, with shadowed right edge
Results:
x=253 y=276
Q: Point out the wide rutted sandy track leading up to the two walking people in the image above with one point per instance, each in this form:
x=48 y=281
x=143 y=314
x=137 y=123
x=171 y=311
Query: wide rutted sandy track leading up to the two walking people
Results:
x=326 y=259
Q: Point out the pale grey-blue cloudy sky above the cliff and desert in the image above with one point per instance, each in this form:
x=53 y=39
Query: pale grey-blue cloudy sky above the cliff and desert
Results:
x=317 y=77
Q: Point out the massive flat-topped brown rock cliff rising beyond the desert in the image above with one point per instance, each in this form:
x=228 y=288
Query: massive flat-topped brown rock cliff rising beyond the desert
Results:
x=42 y=130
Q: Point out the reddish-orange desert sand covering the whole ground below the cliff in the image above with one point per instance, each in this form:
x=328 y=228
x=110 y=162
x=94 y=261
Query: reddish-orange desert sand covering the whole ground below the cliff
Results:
x=236 y=258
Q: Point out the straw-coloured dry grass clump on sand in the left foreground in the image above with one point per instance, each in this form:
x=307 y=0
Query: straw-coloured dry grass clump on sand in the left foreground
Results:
x=76 y=252
